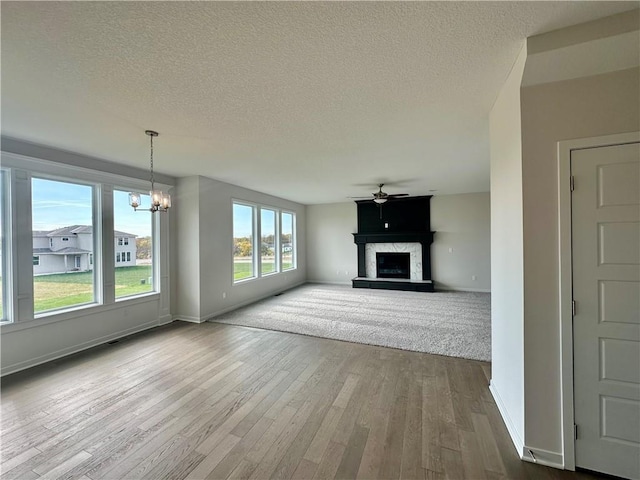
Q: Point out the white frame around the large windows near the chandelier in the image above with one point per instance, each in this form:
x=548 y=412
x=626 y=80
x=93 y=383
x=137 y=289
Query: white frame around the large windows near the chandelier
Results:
x=19 y=170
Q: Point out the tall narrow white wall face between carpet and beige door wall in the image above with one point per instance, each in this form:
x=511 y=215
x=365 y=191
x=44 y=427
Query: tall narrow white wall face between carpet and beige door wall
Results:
x=507 y=282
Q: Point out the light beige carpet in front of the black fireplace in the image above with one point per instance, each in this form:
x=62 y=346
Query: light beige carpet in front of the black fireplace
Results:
x=456 y=324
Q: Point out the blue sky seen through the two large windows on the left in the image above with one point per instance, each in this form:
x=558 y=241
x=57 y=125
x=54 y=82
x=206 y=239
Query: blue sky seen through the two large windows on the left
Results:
x=60 y=204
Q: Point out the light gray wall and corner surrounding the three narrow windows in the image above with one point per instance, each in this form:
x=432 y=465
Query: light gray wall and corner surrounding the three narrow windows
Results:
x=203 y=249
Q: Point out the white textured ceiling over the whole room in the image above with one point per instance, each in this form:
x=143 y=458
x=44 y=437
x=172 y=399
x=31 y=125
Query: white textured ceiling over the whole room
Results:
x=309 y=101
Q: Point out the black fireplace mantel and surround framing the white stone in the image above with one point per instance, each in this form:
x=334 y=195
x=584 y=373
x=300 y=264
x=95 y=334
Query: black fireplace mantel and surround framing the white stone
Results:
x=402 y=220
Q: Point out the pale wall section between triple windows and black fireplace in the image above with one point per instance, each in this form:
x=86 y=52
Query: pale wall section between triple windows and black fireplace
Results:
x=332 y=255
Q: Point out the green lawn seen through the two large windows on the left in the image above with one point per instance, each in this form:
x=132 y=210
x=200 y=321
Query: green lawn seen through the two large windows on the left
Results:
x=67 y=289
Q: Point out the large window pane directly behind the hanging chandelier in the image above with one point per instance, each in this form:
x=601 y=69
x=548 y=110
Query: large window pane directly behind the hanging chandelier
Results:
x=138 y=226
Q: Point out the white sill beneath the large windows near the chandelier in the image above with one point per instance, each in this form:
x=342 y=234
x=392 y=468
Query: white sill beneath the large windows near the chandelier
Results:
x=80 y=311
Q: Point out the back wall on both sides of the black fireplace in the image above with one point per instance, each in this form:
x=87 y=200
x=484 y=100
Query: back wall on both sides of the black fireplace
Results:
x=462 y=223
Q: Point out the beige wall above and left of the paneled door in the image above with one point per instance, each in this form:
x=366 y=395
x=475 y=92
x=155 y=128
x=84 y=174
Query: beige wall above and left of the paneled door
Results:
x=587 y=107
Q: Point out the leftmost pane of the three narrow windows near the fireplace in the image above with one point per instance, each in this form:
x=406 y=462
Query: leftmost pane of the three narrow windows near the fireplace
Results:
x=243 y=241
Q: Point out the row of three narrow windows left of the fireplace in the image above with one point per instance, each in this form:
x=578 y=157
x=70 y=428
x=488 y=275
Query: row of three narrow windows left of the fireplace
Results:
x=274 y=232
